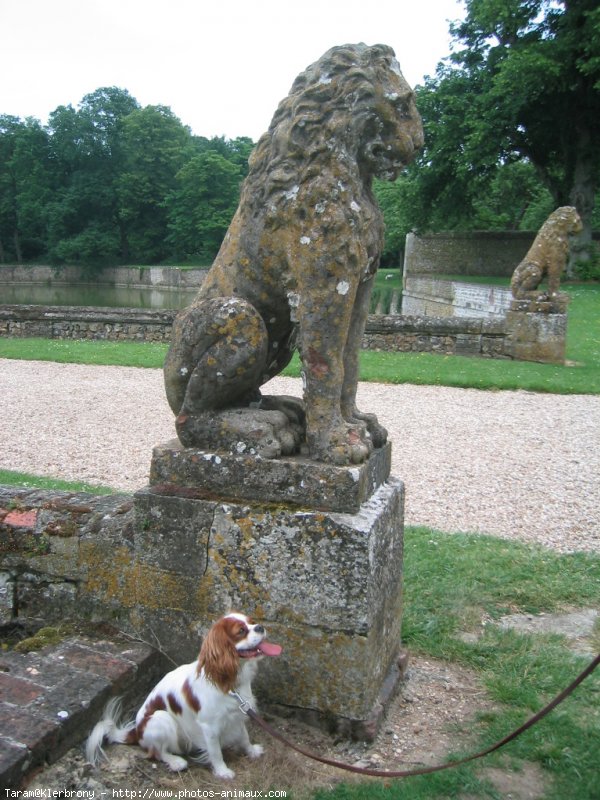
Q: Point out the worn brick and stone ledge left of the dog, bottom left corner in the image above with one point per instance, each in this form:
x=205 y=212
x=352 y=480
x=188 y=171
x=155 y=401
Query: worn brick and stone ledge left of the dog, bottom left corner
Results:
x=50 y=699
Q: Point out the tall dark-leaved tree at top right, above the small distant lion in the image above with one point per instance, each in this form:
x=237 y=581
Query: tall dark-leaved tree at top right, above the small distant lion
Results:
x=525 y=87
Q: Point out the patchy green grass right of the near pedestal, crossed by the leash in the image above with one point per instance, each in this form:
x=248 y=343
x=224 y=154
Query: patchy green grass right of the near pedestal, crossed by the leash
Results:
x=453 y=582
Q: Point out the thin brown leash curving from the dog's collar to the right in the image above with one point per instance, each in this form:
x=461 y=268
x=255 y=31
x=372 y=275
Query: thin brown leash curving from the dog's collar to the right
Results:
x=245 y=707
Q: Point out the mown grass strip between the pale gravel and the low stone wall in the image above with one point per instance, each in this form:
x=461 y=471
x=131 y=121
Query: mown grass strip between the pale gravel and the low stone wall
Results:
x=581 y=376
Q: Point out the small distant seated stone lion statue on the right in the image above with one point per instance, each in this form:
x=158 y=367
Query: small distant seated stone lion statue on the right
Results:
x=547 y=256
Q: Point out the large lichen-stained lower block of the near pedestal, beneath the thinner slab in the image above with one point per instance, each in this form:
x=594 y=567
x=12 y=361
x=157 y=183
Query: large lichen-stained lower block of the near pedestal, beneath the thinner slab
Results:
x=327 y=585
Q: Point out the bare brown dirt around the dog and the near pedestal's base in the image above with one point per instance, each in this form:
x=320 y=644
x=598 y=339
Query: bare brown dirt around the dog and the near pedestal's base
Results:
x=432 y=716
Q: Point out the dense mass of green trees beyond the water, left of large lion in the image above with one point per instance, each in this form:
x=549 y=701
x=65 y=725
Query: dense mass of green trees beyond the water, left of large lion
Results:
x=111 y=182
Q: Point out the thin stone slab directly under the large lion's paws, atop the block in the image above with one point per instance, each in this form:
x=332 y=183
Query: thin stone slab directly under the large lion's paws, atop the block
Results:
x=198 y=474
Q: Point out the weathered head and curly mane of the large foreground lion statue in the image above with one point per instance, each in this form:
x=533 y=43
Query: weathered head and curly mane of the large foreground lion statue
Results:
x=352 y=106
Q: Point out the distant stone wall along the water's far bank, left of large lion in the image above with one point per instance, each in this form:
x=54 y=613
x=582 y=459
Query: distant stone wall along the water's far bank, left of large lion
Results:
x=165 y=277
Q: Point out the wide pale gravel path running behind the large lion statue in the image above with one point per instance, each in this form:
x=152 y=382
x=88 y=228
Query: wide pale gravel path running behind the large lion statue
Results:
x=516 y=464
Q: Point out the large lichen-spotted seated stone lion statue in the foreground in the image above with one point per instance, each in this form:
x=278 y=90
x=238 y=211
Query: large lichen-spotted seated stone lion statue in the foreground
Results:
x=296 y=268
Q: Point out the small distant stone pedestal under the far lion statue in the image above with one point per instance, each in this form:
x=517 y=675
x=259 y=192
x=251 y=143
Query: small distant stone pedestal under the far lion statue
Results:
x=538 y=329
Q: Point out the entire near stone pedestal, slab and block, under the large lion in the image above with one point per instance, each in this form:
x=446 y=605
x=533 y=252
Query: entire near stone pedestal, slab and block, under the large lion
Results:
x=312 y=550
